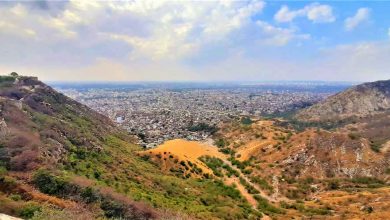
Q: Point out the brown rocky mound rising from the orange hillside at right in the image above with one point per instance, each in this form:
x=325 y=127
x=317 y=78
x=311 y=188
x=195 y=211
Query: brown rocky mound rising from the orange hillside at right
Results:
x=327 y=155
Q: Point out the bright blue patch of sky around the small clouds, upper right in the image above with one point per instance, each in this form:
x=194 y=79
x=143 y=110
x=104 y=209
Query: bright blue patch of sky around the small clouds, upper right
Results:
x=374 y=27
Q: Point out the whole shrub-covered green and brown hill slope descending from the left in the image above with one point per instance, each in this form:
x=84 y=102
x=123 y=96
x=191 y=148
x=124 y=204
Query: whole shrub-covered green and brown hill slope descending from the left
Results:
x=60 y=158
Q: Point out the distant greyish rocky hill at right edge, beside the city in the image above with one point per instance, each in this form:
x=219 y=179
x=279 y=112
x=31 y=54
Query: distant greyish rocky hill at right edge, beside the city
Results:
x=358 y=101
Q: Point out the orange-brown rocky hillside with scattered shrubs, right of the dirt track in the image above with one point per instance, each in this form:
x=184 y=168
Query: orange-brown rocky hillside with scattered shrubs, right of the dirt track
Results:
x=314 y=166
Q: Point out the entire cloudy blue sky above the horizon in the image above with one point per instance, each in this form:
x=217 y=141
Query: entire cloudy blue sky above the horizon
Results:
x=196 y=40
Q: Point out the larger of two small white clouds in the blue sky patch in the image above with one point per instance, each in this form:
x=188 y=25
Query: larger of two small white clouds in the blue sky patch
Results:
x=315 y=12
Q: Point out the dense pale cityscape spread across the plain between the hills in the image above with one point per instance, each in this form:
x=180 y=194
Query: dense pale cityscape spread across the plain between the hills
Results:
x=156 y=114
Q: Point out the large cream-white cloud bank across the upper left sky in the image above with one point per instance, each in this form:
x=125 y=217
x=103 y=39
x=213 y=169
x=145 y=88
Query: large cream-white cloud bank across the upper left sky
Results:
x=150 y=29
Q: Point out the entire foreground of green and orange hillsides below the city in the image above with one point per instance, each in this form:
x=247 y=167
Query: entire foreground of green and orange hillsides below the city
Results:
x=61 y=158
